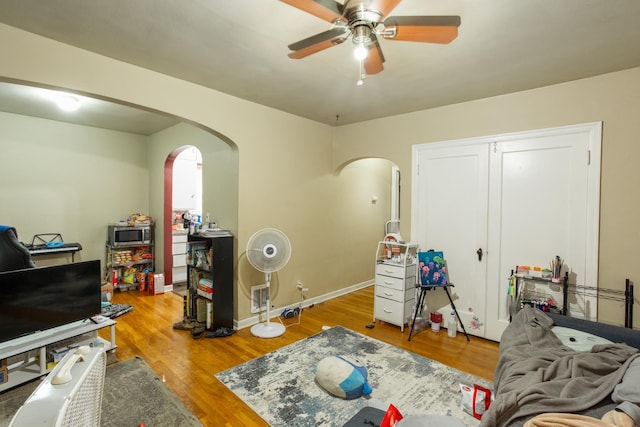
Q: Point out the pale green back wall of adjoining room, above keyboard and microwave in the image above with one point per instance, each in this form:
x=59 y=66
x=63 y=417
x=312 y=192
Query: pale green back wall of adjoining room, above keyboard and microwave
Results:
x=62 y=178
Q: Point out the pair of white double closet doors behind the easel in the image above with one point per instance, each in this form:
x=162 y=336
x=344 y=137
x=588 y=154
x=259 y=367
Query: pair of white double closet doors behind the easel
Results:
x=522 y=198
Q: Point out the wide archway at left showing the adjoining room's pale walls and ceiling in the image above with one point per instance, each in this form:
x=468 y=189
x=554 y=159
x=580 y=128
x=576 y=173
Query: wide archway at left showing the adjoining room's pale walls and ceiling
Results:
x=105 y=174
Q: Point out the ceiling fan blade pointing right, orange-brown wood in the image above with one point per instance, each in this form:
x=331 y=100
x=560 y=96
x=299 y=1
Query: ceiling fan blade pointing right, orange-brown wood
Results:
x=425 y=29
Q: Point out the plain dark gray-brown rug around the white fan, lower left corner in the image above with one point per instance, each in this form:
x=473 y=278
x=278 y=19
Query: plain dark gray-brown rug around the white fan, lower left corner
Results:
x=133 y=394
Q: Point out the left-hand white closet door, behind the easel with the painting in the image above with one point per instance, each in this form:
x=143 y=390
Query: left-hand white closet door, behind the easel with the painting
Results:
x=451 y=200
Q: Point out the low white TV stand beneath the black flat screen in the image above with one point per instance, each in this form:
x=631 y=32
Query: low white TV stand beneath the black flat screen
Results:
x=31 y=367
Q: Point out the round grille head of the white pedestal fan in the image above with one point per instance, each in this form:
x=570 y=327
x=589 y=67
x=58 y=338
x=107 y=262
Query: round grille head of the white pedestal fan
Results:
x=268 y=250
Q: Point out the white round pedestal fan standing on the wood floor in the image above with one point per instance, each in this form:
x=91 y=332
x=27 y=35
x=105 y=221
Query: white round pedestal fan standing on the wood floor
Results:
x=268 y=250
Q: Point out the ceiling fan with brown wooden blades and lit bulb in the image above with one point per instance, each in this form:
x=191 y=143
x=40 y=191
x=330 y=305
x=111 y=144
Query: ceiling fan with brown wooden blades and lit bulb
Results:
x=364 y=21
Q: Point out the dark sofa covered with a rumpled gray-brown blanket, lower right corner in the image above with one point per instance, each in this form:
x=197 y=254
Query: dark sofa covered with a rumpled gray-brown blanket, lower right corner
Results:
x=542 y=369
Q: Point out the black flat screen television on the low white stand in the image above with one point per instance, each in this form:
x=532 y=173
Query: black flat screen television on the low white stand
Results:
x=36 y=299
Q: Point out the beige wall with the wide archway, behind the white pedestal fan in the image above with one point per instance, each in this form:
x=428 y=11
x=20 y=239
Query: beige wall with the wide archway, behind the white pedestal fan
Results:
x=285 y=179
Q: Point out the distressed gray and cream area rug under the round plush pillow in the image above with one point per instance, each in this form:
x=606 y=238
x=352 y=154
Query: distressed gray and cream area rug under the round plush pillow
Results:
x=281 y=388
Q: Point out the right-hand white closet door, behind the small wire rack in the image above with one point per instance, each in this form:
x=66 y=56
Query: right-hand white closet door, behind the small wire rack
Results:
x=543 y=203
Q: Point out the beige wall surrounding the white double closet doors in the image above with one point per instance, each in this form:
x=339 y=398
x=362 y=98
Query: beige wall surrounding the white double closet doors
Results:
x=613 y=99
